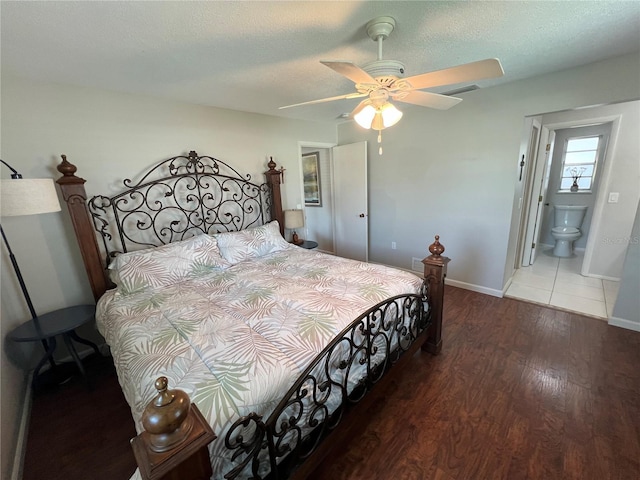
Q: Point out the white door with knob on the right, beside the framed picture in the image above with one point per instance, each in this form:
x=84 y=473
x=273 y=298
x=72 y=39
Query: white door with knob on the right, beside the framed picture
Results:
x=350 y=213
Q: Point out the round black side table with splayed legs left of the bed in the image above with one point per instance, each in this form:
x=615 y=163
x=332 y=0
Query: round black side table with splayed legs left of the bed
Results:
x=59 y=322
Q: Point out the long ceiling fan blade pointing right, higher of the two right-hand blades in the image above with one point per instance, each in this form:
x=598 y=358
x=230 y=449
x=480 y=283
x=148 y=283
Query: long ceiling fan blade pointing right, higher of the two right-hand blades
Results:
x=489 y=68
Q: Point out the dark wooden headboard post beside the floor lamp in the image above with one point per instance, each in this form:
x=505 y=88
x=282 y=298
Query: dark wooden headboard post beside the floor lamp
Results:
x=75 y=196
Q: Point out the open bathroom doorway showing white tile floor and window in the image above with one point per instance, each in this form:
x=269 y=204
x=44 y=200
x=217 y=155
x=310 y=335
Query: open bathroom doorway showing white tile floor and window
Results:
x=540 y=276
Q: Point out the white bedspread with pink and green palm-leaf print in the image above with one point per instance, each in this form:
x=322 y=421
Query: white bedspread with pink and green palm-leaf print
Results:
x=237 y=339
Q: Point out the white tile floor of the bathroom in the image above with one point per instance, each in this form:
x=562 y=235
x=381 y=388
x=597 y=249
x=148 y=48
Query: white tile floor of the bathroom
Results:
x=557 y=282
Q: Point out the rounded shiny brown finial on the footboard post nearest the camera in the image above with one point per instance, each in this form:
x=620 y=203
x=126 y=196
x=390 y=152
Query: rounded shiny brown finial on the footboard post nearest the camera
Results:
x=166 y=418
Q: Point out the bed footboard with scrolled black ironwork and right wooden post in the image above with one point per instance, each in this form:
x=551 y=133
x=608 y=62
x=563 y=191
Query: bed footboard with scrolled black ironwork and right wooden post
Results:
x=319 y=410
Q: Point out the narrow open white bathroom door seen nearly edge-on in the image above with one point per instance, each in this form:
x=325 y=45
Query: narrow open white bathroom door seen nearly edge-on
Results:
x=540 y=182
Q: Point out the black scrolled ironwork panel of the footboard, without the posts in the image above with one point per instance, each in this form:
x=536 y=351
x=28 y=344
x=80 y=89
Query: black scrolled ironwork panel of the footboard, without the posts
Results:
x=334 y=382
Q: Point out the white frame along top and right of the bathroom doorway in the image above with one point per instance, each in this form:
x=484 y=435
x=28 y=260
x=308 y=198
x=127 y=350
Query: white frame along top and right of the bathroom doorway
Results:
x=602 y=193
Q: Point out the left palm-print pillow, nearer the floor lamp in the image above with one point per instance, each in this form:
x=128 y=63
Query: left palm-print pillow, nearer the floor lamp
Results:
x=167 y=264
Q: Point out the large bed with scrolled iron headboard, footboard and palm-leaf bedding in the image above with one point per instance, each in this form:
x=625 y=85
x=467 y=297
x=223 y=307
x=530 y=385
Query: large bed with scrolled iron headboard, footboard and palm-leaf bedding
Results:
x=275 y=344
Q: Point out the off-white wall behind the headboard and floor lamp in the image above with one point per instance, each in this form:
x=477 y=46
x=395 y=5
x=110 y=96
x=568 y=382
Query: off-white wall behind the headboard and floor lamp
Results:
x=109 y=137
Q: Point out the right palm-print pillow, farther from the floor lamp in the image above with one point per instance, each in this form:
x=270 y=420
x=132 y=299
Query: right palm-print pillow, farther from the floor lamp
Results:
x=255 y=242
